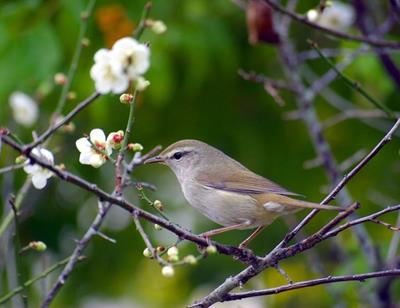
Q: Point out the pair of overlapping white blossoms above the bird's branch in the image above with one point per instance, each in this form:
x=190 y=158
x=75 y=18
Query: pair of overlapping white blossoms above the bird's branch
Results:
x=115 y=68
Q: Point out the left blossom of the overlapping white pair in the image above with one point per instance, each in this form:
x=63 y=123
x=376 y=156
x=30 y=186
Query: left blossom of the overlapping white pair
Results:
x=106 y=80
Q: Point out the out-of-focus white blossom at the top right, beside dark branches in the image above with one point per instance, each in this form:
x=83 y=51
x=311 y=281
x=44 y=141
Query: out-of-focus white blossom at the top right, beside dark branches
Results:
x=339 y=16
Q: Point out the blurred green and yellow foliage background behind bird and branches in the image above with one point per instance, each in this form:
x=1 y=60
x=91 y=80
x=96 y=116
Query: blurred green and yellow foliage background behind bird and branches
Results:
x=197 y=93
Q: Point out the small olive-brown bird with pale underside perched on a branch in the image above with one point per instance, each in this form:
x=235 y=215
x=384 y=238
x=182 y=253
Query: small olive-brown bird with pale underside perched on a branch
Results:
x=227 y=192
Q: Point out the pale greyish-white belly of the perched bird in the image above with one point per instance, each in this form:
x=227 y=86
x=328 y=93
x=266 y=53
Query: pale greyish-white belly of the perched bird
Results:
x=227 y=208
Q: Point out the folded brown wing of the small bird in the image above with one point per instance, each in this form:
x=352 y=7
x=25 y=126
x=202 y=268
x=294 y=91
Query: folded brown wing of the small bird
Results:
x=243 y=182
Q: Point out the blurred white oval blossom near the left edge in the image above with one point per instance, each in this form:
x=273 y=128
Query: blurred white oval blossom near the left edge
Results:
x=25 y=109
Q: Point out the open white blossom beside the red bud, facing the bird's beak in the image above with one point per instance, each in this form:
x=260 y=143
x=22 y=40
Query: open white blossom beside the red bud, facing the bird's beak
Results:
x=95 y=151
